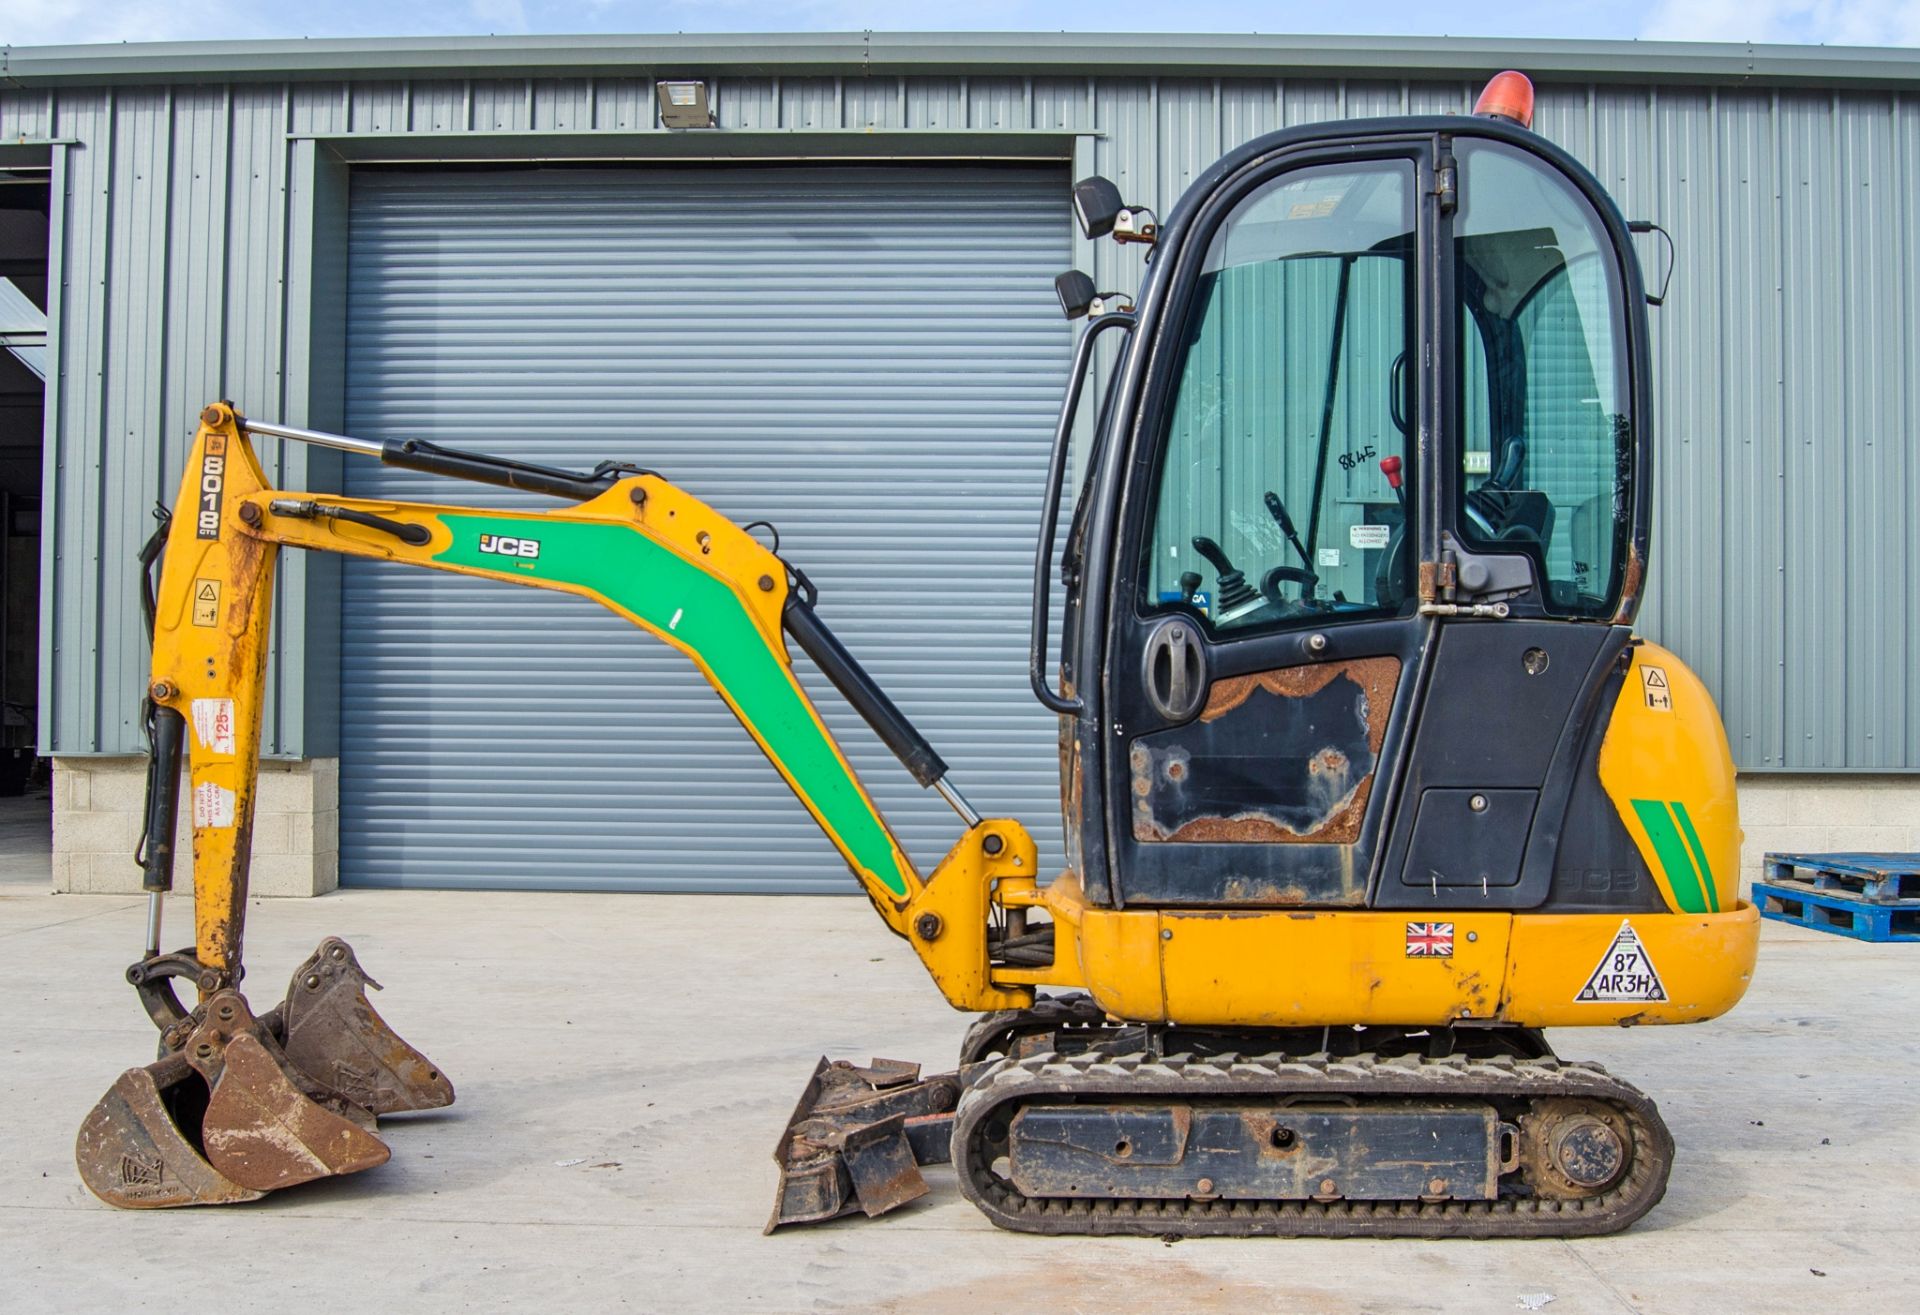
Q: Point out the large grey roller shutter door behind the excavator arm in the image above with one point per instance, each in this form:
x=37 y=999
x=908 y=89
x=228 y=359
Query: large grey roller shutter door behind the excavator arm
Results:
x=869 y=358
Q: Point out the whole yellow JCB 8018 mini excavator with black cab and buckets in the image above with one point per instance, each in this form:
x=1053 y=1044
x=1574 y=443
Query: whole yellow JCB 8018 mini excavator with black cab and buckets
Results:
x=1366 y=777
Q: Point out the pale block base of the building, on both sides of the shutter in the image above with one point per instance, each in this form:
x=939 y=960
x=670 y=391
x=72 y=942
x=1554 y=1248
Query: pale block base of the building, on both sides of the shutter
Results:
x=297 y=828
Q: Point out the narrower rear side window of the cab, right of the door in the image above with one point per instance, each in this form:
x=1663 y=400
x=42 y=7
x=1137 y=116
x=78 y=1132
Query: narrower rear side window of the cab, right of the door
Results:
x=1543 y=379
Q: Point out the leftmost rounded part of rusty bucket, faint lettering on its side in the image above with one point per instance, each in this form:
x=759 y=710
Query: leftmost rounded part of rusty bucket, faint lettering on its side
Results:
x=133 y=1151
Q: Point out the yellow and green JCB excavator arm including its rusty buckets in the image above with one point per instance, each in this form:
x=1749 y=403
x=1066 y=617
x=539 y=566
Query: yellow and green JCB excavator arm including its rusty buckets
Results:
x=312 y=1074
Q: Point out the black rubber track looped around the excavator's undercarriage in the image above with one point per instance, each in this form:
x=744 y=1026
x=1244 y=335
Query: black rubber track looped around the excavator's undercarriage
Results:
x=1049 y=1078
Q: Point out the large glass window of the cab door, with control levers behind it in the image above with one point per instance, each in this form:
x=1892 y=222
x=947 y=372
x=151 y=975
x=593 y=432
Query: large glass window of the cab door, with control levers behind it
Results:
x=1285 y=469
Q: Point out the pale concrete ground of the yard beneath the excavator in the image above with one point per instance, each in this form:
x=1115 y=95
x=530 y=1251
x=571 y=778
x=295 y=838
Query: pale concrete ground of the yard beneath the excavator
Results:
x=627 y=1063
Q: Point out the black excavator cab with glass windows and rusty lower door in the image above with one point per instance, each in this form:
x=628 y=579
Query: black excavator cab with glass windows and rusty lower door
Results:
x=1364 y=533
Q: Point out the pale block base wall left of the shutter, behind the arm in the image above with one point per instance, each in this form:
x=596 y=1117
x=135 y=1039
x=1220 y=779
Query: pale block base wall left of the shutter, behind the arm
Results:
x=99 y=813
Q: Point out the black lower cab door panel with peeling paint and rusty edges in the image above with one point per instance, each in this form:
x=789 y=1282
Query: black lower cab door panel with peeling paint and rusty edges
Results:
x=1274 y=757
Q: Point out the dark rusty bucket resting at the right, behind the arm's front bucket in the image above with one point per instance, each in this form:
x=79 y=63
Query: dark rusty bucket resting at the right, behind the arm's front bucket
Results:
x=333 y=1034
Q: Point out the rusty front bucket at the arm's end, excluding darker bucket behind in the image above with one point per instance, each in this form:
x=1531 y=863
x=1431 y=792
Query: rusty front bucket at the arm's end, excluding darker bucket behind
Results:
x=226 y=1120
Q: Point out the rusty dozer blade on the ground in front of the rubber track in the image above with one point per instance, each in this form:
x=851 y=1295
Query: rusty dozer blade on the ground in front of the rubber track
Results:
x=857 y=1141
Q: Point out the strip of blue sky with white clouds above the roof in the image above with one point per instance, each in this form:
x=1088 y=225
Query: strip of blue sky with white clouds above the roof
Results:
x=1819 y=22
